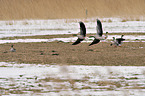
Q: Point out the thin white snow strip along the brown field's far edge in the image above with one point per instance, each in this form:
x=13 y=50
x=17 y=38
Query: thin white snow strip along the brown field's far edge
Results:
x=129 y=38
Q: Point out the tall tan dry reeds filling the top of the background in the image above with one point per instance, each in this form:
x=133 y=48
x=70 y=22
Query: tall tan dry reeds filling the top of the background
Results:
x=52 y=9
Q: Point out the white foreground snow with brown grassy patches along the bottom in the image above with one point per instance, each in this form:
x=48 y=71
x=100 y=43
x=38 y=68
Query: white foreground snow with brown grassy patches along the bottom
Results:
x=32 y=79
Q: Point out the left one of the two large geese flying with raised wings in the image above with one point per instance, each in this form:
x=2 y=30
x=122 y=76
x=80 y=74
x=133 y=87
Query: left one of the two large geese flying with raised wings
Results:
x=82 y=35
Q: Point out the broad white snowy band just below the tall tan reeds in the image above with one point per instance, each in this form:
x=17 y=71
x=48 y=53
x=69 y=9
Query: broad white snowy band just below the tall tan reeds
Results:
x=64 y=26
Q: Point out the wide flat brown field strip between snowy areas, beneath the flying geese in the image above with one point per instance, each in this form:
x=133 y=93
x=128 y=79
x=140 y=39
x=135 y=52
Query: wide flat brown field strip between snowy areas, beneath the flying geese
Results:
x=64 y=53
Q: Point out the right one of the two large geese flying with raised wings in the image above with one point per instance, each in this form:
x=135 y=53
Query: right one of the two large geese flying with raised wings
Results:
x=99 y=36
